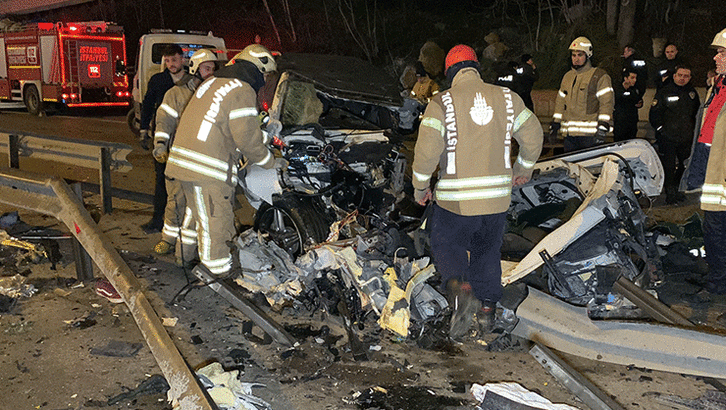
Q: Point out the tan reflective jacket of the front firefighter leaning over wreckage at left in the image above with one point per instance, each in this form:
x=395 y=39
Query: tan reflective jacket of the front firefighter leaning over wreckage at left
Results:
x=218 y=126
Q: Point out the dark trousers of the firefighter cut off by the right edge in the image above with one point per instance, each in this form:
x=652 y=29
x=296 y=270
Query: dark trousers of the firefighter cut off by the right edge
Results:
x=714 y=240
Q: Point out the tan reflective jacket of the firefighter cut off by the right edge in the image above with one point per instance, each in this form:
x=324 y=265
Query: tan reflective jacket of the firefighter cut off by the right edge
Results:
x=713 y=195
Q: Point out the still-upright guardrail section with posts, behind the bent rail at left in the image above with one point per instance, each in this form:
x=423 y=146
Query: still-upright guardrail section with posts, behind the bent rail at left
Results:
x=104 y=156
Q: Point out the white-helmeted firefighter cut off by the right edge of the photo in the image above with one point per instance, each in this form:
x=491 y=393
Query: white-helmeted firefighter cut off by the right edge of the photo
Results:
x=707 y=170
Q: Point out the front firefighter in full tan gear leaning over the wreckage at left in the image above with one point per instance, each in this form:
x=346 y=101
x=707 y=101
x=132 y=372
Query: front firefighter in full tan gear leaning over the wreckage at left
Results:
x=219 y=124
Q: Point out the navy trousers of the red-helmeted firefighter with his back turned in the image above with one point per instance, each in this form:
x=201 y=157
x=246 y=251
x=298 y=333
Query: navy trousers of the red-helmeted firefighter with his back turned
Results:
x=468 y=248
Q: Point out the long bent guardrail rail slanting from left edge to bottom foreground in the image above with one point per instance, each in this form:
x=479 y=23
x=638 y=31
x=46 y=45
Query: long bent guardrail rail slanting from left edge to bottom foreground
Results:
x=52 y=196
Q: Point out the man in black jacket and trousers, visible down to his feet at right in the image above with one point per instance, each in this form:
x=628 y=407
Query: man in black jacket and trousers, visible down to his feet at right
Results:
x=673 y=115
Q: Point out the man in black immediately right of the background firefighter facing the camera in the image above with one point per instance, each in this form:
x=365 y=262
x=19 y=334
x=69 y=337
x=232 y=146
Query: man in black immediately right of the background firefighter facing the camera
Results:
x=627 y=102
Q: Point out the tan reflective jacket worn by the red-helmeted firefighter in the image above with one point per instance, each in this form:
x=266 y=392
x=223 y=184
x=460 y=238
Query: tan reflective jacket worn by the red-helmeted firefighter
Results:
x=467 y=131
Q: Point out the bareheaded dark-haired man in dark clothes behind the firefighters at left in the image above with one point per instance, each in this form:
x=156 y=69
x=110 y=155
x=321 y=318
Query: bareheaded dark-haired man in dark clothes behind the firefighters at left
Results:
x=159 y=84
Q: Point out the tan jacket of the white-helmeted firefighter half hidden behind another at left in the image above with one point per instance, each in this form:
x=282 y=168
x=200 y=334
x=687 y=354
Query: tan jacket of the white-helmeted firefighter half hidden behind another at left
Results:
x=170 y=110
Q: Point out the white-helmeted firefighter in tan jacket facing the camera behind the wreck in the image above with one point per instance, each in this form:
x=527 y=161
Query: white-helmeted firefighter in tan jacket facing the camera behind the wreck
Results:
x=584 y=104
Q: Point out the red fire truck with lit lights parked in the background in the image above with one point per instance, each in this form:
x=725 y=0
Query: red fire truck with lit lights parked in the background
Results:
x=64 y=64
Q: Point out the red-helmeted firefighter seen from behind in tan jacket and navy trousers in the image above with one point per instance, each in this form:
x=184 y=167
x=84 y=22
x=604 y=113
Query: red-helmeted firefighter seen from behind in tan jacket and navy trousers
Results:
x=467 y=132
